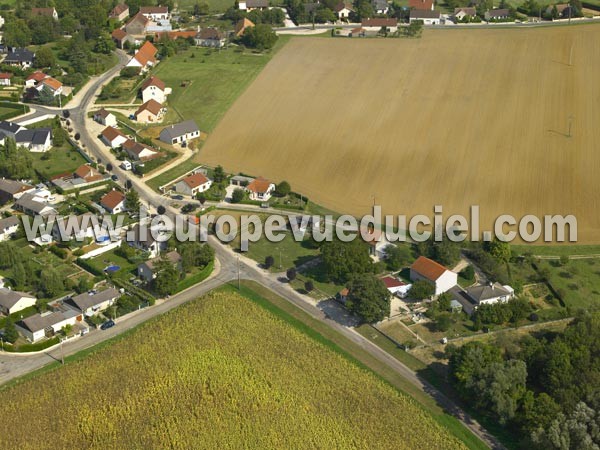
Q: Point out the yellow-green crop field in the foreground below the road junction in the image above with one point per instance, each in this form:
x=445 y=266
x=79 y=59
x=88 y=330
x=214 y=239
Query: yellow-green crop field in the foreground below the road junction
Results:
x=220 y=372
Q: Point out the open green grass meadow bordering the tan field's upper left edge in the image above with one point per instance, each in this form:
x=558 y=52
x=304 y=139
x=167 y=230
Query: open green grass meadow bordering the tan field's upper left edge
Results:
x=217 y=78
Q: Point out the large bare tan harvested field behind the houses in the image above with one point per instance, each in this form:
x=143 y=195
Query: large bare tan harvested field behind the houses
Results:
x=457 y=118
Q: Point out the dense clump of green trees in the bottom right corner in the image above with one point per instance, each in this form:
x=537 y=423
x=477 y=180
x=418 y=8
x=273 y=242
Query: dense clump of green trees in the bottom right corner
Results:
x=542 y=388
